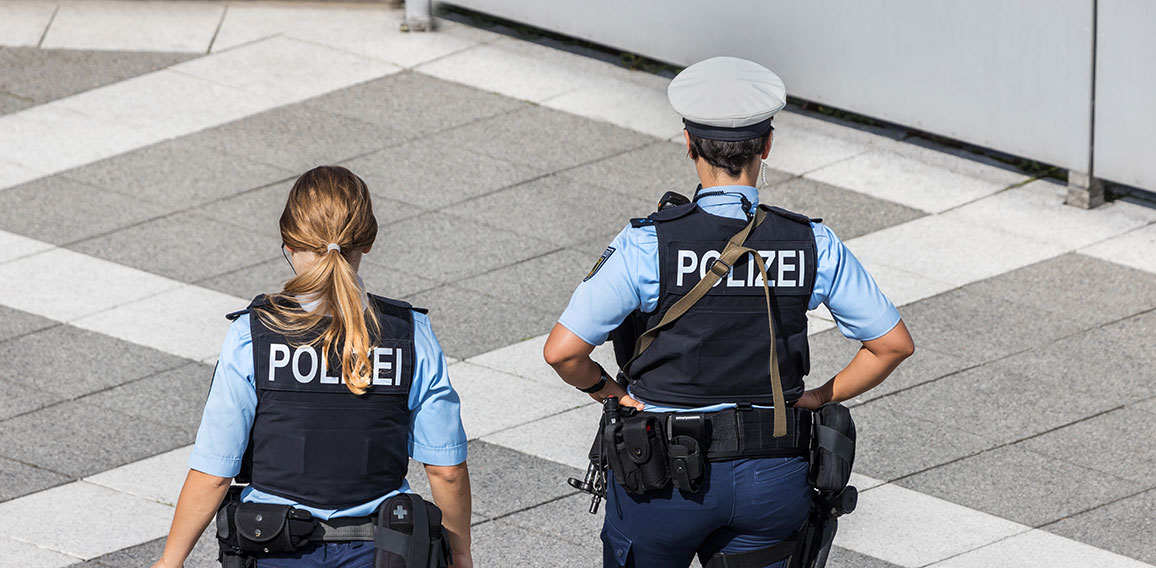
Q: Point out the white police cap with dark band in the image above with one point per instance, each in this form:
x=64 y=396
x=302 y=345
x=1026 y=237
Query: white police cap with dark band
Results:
x=728 y=99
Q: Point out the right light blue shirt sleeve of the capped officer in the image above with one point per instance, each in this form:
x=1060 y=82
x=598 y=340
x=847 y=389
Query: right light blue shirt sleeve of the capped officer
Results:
x=861 y=309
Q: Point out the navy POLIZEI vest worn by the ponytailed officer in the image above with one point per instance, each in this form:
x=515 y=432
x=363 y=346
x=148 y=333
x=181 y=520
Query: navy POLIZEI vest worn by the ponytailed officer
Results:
x=316 y=442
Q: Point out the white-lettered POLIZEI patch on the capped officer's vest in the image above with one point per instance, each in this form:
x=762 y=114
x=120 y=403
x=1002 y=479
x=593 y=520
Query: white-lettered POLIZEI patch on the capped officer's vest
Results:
x=790 y=265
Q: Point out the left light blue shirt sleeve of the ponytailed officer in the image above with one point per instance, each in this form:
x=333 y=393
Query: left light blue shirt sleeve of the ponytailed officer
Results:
x=229 y=410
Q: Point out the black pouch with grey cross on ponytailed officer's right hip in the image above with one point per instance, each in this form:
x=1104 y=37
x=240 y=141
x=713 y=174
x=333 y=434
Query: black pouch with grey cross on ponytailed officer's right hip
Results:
x=410 y=534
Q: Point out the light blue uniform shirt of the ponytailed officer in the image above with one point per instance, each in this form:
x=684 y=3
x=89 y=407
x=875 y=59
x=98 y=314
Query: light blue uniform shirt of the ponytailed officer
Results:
x=436 y=436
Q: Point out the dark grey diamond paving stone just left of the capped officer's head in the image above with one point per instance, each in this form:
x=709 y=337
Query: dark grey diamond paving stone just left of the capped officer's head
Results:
x=544 y=139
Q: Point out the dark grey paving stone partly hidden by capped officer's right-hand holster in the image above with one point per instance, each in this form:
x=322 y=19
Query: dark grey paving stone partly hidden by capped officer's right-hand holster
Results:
x=892 y=444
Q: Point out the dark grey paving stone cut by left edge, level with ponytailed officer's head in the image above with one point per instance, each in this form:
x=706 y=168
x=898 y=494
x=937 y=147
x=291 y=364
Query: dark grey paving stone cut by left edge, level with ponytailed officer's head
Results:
x=63 y=211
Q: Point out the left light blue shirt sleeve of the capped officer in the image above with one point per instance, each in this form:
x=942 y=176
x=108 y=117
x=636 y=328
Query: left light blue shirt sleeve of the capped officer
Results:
x=625 y=281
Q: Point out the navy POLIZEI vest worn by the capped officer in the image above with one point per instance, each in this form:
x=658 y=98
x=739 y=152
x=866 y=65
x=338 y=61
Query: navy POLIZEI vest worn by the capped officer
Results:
x=718 y=351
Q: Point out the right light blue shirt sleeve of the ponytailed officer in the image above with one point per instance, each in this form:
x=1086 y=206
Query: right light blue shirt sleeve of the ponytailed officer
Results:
x=436 y=436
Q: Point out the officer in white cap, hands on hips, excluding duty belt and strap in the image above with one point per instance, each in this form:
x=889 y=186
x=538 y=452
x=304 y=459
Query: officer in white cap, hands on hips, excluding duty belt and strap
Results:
x=716 y=356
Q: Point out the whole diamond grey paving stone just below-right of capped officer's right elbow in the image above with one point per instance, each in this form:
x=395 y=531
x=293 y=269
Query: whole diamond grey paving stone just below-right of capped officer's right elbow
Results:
x=997 y=404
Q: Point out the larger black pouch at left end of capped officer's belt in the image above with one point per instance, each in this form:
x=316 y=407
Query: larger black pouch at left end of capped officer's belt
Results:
x=638 y=454
